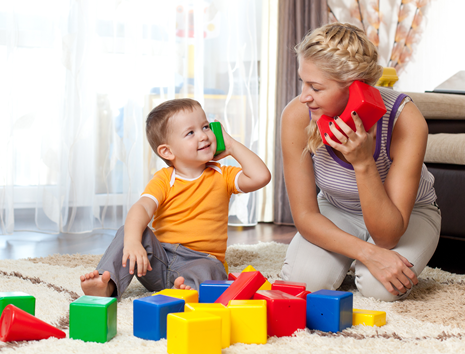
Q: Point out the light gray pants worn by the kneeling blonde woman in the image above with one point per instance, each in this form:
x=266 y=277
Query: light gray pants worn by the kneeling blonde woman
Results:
x=321 y=269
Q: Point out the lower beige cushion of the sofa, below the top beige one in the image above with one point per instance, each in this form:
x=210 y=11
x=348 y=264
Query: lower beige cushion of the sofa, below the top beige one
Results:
x=446 y=148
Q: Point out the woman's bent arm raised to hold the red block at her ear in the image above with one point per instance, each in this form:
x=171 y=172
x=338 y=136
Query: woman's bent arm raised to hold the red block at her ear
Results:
x=387 y=207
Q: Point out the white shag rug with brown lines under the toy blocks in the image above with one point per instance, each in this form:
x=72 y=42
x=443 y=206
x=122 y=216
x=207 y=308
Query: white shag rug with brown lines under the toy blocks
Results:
x=431 y=320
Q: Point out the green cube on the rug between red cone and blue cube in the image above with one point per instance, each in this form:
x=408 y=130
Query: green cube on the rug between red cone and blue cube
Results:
x=93 y=319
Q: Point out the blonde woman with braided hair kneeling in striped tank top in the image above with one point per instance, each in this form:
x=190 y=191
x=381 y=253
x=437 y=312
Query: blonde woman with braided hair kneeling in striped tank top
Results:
x=377 y=205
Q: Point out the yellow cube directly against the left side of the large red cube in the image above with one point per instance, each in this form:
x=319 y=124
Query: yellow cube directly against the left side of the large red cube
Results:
x=248 y=321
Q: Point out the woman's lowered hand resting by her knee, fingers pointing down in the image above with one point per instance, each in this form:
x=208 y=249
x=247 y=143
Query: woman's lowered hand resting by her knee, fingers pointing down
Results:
x=391 y=269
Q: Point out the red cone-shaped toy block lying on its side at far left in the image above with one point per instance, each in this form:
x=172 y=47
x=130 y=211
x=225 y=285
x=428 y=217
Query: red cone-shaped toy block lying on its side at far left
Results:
x=18 y=325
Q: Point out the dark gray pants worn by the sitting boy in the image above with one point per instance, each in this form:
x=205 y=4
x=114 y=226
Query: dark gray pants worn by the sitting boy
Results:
x=168 y=262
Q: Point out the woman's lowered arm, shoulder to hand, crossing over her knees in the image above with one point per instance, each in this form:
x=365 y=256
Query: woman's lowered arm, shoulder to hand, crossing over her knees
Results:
x=390 y=268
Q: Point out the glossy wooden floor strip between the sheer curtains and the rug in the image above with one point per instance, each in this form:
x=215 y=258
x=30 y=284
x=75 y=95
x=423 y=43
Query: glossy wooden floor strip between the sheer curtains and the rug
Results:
x=32 y=244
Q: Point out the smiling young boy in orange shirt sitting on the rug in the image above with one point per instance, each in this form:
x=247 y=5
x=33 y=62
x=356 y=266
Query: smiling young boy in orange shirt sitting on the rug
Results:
x=187 y=203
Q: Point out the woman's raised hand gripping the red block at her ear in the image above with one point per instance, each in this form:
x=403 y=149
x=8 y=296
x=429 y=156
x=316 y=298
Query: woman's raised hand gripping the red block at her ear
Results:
x=357 y=147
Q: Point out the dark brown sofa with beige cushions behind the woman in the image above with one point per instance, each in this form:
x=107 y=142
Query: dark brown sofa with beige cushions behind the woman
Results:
x=445 y=159
